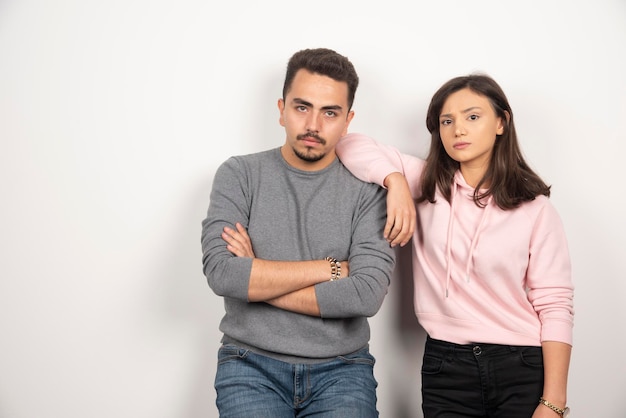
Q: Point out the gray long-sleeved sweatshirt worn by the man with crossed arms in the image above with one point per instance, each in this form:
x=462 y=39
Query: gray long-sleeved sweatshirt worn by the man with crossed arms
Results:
x=297 y=215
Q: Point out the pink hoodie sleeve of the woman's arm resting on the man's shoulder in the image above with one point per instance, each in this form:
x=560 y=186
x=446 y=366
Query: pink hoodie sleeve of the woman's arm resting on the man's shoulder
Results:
x=372 y=161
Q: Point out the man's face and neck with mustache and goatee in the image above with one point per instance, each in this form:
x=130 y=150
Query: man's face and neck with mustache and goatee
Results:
x=315 y=116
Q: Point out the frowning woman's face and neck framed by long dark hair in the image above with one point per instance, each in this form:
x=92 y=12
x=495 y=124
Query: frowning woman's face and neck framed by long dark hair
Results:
x=468 y=126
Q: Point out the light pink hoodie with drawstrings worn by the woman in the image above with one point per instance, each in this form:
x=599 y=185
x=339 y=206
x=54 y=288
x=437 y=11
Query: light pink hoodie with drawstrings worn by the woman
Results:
x=481 y=274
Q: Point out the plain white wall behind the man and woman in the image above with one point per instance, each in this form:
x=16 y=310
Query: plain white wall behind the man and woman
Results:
x=115 y=115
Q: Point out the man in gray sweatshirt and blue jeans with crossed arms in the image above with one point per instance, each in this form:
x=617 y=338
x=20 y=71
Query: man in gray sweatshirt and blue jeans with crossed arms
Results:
x=294 y=243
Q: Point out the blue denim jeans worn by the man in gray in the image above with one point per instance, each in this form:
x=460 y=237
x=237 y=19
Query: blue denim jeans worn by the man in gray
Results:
x=250 y=385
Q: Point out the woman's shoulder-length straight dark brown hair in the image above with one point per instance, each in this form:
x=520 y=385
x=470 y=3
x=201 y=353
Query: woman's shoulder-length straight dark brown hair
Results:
x=511 y=181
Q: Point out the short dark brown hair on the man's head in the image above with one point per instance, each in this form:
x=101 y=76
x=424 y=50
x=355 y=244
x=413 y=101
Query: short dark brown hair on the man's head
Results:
x=325 y=62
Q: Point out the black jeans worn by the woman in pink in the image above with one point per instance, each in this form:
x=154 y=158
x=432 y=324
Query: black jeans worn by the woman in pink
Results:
x=480 y=380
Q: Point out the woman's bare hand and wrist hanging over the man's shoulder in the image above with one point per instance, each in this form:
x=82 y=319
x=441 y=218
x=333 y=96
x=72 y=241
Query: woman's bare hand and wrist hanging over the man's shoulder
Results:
x=401 y=214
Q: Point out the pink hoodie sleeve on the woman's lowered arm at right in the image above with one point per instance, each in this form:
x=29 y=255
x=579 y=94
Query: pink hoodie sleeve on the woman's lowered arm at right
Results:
x=549 y=277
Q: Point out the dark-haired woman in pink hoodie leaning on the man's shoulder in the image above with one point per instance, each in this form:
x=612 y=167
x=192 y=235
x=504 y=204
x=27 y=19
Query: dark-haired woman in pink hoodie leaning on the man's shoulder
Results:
x=492 y=274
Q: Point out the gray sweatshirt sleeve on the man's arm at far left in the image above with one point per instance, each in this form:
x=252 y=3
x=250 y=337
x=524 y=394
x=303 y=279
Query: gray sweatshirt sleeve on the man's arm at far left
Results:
x=227 y=275
